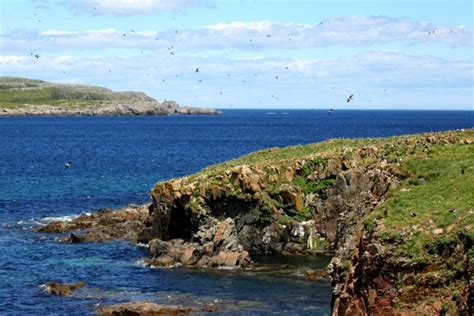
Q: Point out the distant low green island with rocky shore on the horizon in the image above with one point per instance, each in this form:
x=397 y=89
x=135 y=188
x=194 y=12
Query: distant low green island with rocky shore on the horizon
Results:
x=22 y=96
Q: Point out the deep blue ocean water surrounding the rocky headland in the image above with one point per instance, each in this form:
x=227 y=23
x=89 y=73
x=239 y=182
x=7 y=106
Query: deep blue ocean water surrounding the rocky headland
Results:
x=116 y=161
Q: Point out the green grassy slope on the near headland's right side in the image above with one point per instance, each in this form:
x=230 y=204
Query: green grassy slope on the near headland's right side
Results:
x=439 y=189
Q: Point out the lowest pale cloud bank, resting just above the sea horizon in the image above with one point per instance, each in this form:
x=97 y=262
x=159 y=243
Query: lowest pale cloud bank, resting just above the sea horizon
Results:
x=307 y=82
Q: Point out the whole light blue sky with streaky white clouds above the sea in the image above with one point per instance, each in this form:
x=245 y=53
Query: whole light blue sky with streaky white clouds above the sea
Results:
x=401 y=54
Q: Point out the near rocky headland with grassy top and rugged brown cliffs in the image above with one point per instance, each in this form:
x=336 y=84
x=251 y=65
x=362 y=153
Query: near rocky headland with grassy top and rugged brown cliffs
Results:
x=395 y=214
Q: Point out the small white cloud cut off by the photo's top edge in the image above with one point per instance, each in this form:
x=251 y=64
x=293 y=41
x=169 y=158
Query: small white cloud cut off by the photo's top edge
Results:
x=130 y=7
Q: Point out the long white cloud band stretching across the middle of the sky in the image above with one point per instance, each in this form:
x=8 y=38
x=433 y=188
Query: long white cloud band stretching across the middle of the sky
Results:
x=251 y=36
